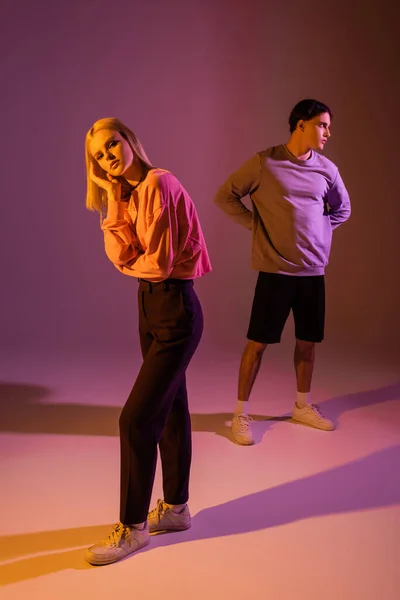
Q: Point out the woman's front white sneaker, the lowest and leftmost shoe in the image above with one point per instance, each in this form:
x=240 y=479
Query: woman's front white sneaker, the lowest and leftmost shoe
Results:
x=123 y=540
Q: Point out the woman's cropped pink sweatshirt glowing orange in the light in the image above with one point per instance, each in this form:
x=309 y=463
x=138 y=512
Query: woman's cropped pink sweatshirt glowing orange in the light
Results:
x=156 y=235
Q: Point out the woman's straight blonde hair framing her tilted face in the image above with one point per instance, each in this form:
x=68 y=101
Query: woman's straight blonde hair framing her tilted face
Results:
x=96 y=197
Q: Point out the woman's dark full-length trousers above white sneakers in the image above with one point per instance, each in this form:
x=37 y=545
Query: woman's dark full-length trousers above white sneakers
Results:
x=156 y=412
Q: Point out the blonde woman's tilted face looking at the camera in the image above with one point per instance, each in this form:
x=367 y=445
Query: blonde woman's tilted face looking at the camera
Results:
x=111 y=151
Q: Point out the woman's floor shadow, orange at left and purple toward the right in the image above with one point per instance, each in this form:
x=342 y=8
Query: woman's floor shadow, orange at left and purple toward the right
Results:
x=364 y=484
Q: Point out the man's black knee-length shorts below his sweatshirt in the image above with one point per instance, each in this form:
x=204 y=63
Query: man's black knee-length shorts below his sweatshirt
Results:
x=275 y=295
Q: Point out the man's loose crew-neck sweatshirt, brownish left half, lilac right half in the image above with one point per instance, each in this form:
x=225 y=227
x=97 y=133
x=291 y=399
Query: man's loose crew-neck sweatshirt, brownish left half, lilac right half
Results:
x=295 y=205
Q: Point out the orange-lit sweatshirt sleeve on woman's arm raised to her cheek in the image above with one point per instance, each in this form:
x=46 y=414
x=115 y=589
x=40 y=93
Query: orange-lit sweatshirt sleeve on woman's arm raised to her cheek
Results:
x=120 y=242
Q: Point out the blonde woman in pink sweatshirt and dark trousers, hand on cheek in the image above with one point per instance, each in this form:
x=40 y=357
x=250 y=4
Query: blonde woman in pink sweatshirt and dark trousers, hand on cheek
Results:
x=151 y=232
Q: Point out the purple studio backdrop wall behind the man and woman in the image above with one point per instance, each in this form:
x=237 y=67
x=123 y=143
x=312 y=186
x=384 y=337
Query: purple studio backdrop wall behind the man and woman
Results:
x=204 y=84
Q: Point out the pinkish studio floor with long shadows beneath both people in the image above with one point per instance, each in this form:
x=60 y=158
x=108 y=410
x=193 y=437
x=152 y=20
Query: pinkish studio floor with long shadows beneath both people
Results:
x=302 y=514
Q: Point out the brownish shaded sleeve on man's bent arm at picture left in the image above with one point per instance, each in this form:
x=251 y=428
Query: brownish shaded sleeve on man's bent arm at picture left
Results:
x=242 y=182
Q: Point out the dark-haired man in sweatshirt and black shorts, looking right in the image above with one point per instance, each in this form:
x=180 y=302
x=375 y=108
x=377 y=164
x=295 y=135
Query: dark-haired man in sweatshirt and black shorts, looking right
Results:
x=297 y=198
